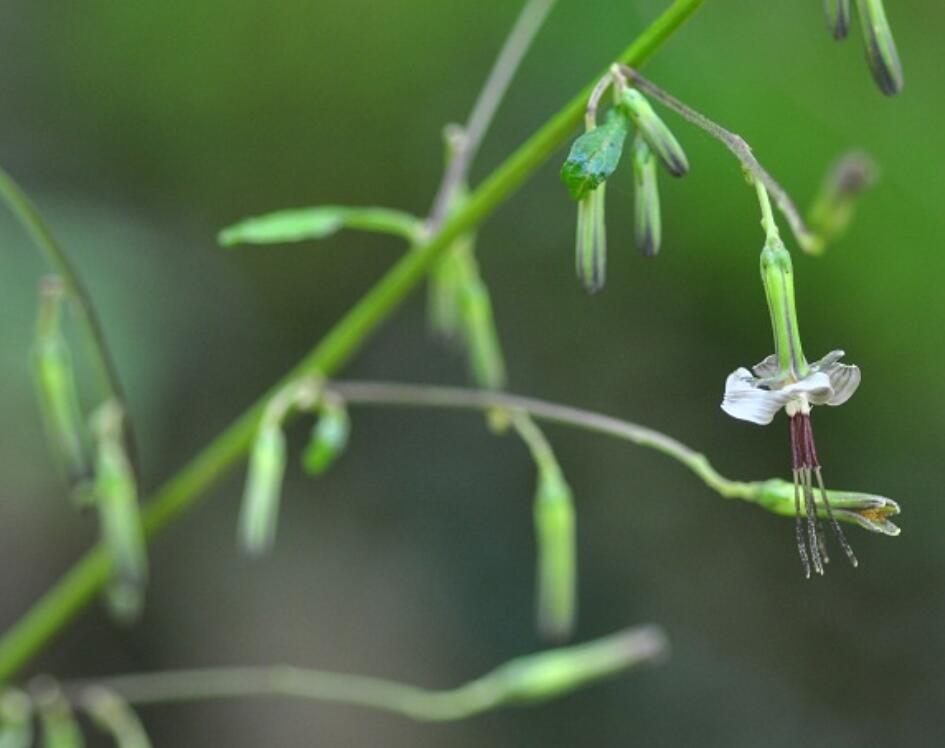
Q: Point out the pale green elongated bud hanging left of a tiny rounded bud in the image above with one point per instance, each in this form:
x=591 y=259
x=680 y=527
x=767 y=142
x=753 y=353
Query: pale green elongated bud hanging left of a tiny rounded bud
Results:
x=260 y=509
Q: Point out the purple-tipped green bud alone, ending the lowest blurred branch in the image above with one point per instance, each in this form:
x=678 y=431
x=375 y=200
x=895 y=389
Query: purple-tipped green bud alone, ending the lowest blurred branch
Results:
x=546 y=675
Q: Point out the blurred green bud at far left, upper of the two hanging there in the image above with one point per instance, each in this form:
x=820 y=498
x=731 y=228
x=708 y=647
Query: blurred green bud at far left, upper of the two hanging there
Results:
x=56 y=386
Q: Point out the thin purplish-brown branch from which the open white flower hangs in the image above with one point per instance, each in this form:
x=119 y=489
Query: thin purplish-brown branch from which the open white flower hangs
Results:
x=741 y=150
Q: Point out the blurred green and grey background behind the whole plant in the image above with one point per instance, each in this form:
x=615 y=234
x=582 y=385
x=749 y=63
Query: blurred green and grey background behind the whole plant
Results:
x=140 y=128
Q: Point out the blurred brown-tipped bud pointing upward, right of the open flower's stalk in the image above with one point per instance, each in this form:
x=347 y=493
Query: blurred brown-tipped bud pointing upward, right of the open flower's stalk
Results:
x=834 y=208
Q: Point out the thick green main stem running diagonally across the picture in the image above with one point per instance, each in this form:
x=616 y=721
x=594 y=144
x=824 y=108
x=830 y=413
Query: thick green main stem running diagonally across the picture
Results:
x=80 y=585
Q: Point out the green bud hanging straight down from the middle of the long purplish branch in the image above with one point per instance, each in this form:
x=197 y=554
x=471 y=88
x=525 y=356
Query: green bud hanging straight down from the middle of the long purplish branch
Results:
x=557 y=554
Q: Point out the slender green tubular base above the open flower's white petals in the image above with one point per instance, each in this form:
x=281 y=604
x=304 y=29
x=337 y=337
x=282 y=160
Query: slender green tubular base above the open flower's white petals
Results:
x=777 y=274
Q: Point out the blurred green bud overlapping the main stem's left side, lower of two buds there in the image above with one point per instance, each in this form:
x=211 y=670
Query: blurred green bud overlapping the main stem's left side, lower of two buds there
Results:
x=116 y=497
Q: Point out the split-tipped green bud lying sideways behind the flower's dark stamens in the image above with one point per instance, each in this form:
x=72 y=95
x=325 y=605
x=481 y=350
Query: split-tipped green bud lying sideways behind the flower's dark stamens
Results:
x=869 y=511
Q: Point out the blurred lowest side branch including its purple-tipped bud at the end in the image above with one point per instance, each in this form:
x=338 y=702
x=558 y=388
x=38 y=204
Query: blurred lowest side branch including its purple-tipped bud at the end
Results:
x=524 y=680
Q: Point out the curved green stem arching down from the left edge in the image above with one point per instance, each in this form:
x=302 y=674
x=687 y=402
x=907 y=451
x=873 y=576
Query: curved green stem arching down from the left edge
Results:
x=47 y=245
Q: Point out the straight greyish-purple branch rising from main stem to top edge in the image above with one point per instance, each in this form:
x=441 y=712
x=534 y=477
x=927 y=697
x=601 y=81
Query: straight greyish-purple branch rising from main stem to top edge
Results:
x=516 y=46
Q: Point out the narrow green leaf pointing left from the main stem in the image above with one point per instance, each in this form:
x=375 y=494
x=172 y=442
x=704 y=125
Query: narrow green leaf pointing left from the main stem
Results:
x=317 y=223
